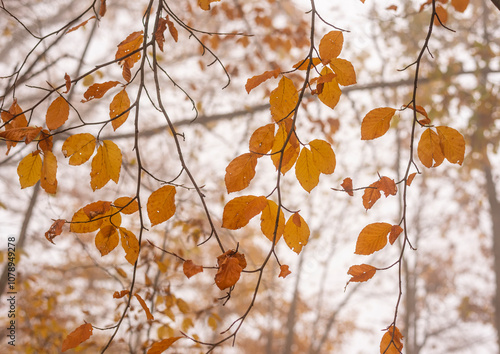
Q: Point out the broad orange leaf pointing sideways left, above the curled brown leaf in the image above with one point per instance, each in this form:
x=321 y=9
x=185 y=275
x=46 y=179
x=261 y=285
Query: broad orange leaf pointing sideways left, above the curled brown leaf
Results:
x=238 y=211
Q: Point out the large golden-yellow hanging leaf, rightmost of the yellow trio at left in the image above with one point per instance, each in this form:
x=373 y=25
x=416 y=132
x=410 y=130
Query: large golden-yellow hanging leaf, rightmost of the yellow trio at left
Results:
x=106 y=165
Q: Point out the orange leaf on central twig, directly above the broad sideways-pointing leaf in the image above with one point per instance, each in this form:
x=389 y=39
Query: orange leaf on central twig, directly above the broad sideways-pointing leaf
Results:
x=240 y=172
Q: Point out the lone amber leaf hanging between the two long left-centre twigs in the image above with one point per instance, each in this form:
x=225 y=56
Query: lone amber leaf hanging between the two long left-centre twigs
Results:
x=161 y=205
